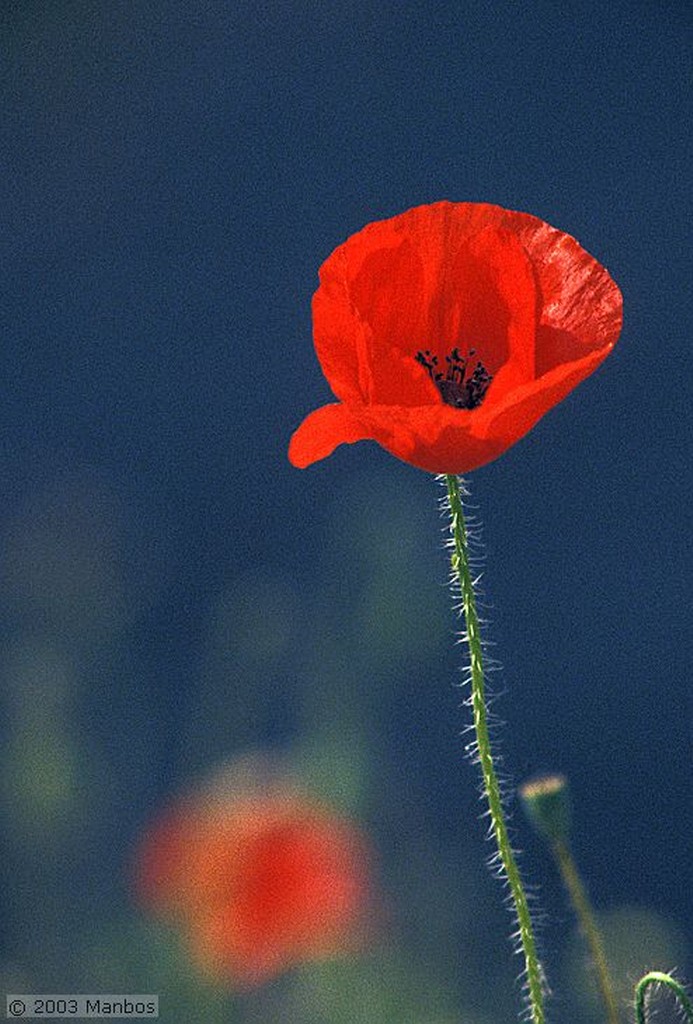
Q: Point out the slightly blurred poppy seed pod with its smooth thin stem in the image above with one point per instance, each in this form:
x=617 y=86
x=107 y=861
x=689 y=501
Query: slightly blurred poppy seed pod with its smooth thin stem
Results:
x=548 y=806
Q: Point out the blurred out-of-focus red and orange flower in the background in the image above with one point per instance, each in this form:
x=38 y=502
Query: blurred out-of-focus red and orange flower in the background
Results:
x=262 y=880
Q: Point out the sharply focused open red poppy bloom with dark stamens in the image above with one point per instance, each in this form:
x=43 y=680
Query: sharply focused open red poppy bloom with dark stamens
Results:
x=449 y=331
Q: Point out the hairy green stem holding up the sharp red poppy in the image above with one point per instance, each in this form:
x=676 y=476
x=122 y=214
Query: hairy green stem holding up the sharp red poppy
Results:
x=462 y=569
